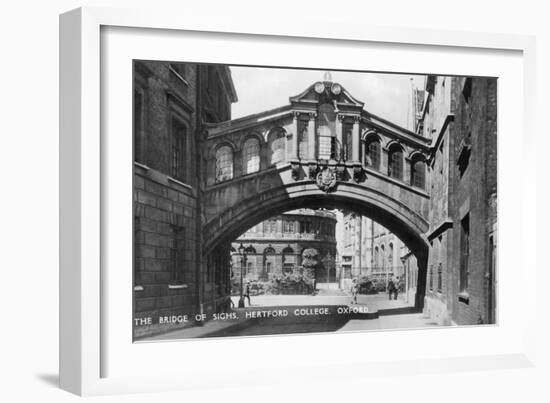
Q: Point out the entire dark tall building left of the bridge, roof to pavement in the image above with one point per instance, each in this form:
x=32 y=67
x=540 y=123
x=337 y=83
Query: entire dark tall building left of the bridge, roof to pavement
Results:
x=172 y=103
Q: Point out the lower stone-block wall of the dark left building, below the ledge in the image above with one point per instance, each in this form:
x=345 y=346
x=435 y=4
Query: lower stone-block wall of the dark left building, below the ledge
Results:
x=165 y=221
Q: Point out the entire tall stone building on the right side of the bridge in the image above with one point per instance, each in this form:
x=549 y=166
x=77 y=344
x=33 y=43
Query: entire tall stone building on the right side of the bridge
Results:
x=459 y=115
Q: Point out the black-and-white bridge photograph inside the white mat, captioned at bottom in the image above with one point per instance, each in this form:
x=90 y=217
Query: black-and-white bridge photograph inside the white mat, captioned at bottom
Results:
x=271 y=200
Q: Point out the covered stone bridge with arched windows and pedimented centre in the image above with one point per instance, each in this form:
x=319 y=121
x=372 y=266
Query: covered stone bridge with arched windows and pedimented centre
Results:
x=322 y=150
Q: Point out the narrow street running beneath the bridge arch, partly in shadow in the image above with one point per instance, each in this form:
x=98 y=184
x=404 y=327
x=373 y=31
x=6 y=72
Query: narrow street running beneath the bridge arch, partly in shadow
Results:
x=390 y=314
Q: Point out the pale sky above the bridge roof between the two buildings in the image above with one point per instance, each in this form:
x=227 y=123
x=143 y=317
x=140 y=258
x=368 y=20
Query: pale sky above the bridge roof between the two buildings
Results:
x=385 y=95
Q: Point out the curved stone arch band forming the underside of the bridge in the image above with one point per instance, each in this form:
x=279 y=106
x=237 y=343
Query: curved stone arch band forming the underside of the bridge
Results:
x=409 y=226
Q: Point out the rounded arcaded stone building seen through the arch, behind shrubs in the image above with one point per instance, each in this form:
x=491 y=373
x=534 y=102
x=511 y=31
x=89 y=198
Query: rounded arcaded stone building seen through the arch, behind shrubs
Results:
x=275 y=246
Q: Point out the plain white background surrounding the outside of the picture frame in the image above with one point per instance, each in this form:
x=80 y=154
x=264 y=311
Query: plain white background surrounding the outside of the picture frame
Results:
x=29 y=212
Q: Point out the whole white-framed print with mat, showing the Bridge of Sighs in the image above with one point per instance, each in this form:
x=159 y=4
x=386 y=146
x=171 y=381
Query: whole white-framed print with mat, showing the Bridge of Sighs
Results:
x=299 y=195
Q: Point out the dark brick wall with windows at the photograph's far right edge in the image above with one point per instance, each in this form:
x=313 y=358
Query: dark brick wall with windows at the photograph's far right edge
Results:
x=474 y=192
